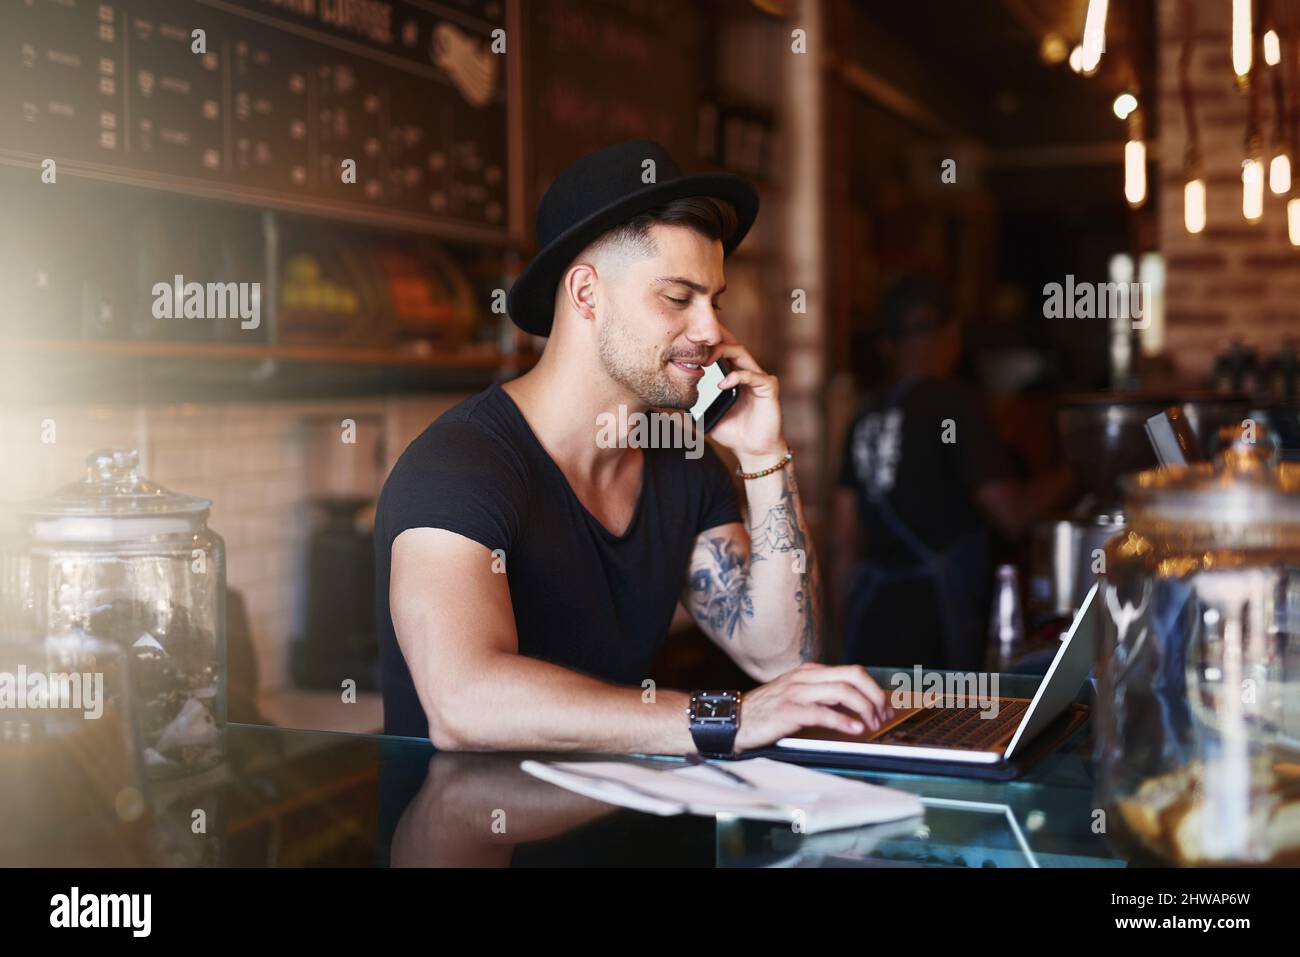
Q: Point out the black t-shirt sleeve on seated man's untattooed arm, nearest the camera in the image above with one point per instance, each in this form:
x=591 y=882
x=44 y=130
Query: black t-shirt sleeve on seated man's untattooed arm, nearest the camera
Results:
x=457 y=478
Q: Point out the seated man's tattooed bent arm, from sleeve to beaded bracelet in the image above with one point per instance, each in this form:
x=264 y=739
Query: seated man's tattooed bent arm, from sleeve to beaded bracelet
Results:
x=757 y=592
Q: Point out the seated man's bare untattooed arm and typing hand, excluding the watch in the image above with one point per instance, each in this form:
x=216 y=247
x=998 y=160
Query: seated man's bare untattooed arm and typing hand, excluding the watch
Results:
x=457 y=629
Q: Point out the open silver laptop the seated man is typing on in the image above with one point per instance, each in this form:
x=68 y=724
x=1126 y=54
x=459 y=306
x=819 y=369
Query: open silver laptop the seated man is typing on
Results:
x=951 y=730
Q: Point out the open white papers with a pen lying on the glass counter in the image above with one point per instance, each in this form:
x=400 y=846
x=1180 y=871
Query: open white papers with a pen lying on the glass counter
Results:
x=809 y=800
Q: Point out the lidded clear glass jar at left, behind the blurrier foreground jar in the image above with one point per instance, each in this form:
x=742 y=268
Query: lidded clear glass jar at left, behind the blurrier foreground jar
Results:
x=122 y=560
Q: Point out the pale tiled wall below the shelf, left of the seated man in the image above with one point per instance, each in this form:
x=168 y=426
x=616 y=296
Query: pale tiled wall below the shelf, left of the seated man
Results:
x=258 y=464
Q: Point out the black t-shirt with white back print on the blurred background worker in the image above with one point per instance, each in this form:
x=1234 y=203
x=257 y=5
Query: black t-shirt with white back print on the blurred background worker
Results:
x=925 y=466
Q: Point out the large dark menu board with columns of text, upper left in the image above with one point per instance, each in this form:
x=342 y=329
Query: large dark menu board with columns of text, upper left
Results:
x=283 y=96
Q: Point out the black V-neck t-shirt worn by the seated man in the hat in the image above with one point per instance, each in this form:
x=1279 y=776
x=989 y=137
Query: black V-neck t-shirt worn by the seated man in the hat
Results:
x=583 y=597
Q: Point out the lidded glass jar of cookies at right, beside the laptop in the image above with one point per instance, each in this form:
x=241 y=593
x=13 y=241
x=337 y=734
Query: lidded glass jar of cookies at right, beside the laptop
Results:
x=1199 y=664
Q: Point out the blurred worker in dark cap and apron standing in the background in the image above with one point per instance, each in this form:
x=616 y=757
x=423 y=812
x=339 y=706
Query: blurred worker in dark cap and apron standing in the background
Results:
x=925 y=483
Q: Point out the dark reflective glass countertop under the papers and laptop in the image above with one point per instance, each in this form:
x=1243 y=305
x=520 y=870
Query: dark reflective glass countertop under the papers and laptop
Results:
x=288 y=799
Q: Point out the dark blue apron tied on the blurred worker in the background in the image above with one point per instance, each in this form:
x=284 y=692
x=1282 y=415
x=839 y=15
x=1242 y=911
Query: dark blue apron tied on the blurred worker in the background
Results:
x=959 y=578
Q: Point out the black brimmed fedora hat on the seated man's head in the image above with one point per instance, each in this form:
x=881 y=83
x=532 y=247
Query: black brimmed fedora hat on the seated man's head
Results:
x=599 y=193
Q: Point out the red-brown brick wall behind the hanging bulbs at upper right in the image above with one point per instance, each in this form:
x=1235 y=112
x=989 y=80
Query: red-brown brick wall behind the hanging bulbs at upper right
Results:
x=1233 y=280
